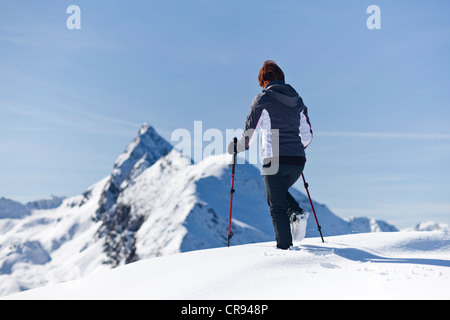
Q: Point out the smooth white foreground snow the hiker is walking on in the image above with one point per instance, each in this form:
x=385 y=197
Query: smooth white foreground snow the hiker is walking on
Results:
x=397 y=265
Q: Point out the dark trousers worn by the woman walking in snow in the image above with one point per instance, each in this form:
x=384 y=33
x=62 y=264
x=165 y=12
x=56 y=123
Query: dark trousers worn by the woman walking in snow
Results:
x=280 y=200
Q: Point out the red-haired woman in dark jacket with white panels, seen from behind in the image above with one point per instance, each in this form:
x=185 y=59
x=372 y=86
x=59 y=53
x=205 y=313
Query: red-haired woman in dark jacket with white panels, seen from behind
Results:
x=279 y=115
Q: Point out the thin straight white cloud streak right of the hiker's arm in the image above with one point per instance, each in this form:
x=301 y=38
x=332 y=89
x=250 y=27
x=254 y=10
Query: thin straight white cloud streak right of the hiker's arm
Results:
x=385 y=135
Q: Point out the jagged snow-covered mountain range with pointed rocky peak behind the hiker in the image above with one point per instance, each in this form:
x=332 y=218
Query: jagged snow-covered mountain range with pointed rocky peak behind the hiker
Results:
x=156 y=202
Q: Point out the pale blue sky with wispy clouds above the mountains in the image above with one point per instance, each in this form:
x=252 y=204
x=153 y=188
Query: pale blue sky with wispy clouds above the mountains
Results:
x=71 y=100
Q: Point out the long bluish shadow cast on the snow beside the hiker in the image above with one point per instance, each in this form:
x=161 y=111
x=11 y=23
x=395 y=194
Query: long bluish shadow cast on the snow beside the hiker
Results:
x=365 y=256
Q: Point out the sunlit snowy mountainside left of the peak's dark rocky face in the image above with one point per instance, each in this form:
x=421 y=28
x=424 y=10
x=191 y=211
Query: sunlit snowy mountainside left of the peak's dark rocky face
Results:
x=51 y=245
